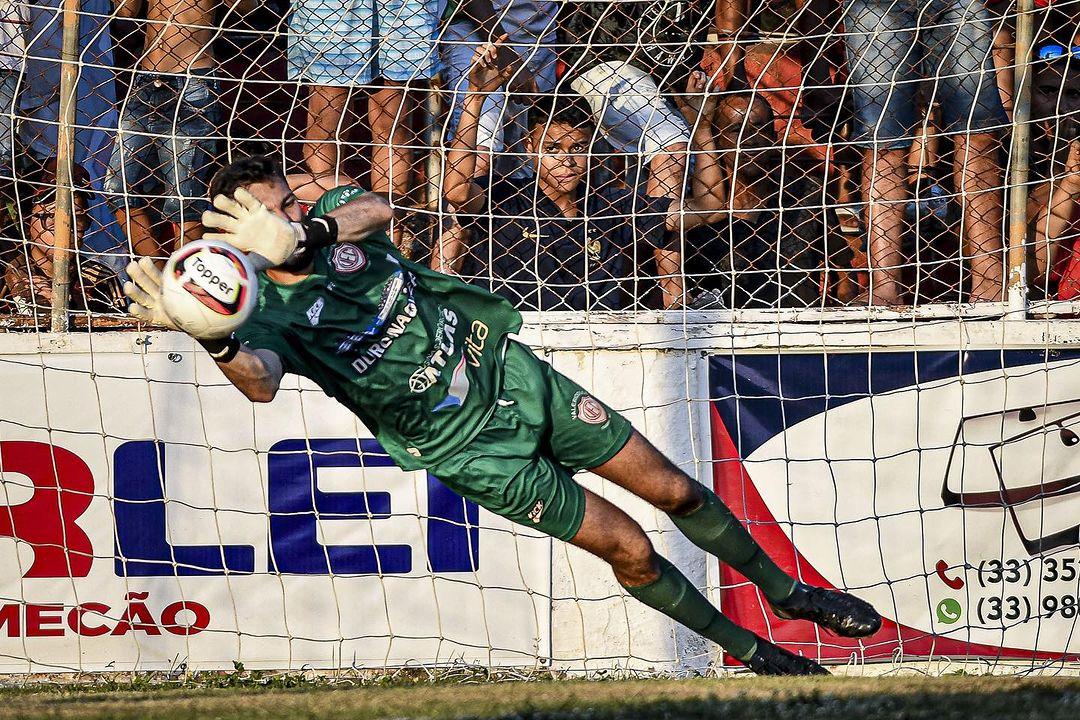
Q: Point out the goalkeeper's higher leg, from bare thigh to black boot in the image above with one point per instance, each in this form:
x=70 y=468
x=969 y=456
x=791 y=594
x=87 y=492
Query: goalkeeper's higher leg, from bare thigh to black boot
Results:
x=706 y=521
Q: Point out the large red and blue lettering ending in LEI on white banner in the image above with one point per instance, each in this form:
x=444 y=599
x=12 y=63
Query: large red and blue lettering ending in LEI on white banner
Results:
x=64 y=487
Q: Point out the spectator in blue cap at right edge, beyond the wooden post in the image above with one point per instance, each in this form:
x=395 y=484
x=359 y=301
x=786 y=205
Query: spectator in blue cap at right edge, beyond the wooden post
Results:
x=1054 y=203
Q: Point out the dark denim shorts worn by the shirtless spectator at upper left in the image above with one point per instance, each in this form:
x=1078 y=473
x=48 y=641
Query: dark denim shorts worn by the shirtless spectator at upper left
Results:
x=167 y=145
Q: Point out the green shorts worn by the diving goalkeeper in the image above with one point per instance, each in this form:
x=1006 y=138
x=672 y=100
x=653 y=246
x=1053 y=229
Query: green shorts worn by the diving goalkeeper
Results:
x=545 y=428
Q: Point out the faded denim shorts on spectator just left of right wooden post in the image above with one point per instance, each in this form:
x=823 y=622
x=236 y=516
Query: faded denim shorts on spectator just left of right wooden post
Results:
x=895 y=46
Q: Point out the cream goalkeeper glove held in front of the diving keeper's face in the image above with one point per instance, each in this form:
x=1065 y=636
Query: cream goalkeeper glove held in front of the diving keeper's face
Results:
x=246 y=224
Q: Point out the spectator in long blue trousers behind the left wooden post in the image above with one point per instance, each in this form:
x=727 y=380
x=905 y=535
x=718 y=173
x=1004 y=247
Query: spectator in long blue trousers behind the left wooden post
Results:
x=96 y=108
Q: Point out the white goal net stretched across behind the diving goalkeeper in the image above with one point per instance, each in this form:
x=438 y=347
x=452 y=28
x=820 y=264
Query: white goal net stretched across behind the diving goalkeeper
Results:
x=820 y=254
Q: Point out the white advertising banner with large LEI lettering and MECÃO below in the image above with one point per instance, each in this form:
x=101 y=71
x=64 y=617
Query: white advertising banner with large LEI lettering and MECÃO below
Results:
x=152 y=518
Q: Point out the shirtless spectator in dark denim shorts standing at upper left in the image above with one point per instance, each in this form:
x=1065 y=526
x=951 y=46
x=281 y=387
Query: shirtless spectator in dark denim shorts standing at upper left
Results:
x=167 y=144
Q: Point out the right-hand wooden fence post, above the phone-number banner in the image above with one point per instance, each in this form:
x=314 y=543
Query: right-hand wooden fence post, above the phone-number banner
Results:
x=1019 y=164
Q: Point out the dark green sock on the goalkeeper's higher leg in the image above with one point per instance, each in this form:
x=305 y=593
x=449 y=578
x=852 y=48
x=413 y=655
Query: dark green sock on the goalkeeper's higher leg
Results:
x=714 y=529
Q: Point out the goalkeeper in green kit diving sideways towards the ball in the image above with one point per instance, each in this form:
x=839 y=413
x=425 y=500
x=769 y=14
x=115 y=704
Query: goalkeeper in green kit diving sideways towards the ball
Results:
x=426 y=362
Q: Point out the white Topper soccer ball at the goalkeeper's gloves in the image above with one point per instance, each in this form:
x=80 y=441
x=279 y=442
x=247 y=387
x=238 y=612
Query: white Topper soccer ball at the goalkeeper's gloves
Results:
x=209 y=289
